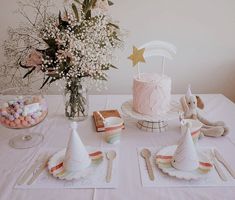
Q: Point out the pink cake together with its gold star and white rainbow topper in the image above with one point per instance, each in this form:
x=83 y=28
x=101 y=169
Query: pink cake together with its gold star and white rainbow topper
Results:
x=152 y=91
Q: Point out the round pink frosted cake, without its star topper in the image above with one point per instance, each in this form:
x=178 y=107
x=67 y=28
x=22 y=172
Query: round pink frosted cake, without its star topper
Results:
x=151 y=94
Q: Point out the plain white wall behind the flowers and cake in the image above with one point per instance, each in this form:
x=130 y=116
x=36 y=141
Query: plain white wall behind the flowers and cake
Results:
x=203 y=32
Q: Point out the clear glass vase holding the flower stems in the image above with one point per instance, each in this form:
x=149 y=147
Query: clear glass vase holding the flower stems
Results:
x=76 y=101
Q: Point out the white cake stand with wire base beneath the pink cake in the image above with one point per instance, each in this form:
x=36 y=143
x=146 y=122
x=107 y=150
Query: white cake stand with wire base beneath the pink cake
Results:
x=149 y=123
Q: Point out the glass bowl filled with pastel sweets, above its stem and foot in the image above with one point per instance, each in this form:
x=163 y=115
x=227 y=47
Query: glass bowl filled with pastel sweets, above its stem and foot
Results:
x=21 y=108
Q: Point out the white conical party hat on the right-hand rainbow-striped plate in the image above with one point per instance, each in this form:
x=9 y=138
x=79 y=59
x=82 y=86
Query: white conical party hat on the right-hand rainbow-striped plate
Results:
x=185 y=156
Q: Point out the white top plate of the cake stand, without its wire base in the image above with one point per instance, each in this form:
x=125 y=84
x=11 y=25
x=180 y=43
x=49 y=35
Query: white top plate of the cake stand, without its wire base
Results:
x=173 y=113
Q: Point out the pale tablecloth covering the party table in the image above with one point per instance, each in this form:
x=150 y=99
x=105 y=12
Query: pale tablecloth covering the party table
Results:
x=56 y=131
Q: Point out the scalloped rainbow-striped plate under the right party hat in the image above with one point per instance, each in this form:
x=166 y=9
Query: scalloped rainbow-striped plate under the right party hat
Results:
x=164 y=158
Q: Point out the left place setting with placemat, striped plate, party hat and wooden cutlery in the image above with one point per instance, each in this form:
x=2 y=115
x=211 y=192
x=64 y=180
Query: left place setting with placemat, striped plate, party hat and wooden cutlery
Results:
x=76 y=166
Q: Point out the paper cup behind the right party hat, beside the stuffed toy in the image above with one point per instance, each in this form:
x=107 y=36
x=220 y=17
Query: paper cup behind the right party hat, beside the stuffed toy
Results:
x=195 y=129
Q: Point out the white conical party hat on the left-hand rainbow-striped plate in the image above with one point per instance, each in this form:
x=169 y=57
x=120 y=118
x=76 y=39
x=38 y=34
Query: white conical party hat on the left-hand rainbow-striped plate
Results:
x=76 y=156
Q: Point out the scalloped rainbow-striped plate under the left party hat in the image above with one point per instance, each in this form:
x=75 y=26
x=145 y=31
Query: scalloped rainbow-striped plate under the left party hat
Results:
x=55 y=165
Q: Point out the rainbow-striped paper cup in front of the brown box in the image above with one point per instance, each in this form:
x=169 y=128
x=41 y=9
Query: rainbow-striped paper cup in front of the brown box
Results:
x=113 y=127
